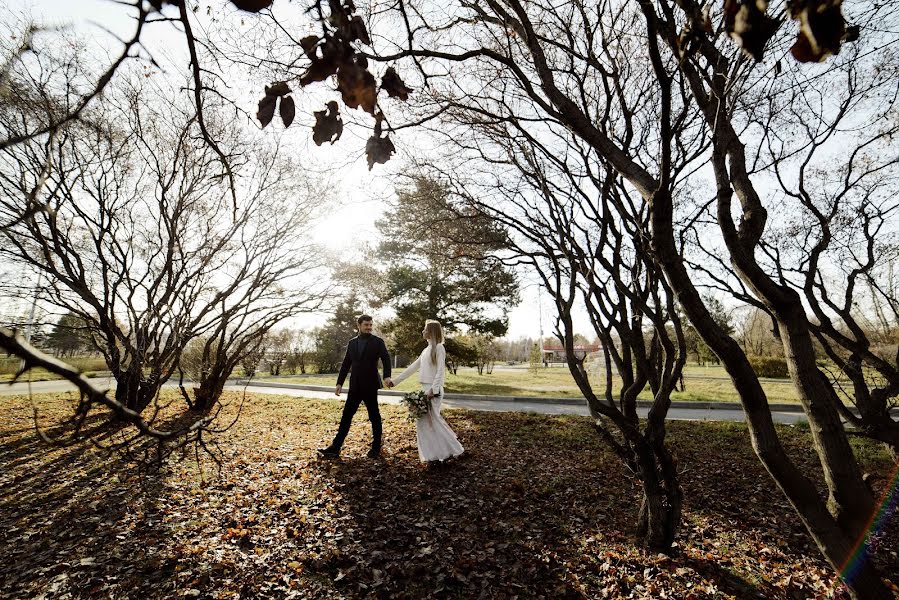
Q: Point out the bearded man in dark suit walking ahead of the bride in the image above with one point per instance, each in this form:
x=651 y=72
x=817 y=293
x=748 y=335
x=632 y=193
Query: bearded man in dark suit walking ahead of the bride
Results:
x=361 y=361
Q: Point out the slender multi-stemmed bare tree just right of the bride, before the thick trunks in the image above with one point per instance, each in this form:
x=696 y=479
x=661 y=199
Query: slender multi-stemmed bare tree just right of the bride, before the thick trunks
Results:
x=585 y=237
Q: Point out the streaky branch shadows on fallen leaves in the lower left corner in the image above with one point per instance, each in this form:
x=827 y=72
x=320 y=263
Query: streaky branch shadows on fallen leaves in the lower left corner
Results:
x=77 y=520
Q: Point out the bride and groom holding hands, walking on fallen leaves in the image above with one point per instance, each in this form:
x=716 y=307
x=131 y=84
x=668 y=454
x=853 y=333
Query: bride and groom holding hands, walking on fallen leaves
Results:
x=436 y=441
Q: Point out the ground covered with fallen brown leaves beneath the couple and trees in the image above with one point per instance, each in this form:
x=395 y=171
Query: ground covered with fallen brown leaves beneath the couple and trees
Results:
x=539 y=508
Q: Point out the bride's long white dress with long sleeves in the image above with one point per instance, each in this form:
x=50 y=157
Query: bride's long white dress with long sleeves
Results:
x=436 y=441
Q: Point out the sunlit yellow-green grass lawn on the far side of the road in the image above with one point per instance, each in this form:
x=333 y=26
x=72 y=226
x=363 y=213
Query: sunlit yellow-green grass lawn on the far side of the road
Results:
x=557 y=382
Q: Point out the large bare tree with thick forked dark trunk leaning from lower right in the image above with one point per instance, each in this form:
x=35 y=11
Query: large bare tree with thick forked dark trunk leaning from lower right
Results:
x=687 y=82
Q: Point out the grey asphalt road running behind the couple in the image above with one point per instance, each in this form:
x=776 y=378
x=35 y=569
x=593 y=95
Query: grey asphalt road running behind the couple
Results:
x=687 y=414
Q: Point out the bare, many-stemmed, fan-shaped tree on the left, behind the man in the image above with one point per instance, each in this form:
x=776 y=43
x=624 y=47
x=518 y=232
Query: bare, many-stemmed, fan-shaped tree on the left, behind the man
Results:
x=142 y=242
